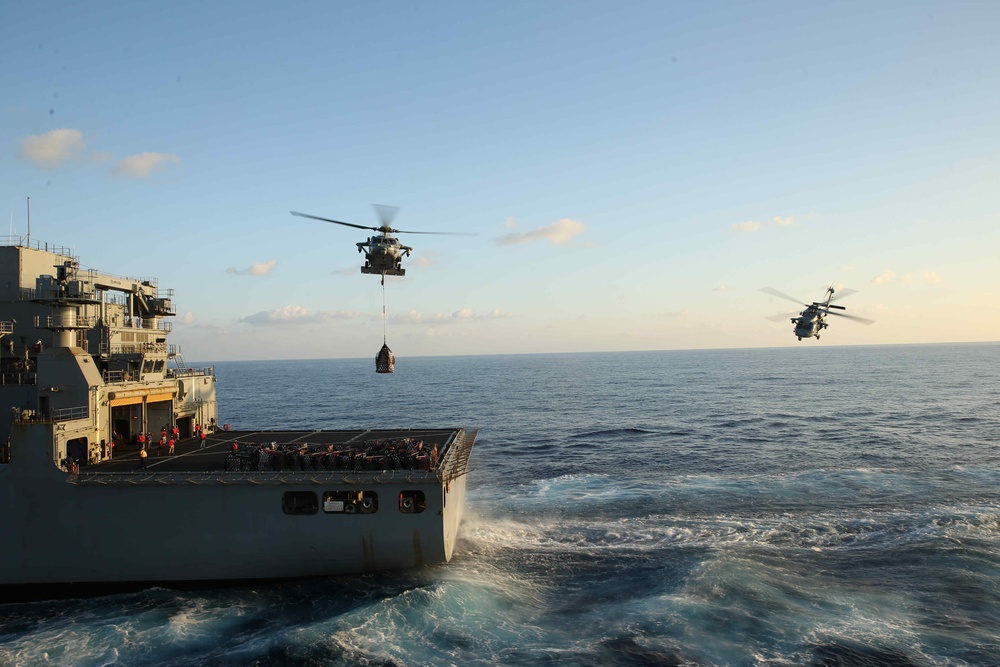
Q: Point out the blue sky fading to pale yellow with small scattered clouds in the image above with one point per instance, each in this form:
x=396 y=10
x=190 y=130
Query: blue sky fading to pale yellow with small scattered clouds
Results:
x=633 y=172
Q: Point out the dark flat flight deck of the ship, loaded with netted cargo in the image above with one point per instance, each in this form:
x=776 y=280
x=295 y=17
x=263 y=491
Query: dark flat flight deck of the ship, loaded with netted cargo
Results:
x=404 y=449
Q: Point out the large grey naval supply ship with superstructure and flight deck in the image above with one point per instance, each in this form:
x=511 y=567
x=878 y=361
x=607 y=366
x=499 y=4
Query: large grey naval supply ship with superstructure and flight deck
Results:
x=88 y=381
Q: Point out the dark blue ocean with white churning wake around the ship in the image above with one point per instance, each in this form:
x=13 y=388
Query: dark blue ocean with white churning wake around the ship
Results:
x=811 y=505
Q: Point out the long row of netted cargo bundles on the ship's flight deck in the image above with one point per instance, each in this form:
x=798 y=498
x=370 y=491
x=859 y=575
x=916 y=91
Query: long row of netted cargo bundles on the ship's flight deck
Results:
x=392 y=454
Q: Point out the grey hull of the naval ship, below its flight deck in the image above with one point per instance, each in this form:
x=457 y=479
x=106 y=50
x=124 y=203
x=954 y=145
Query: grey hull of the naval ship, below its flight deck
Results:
x=182 y=523
